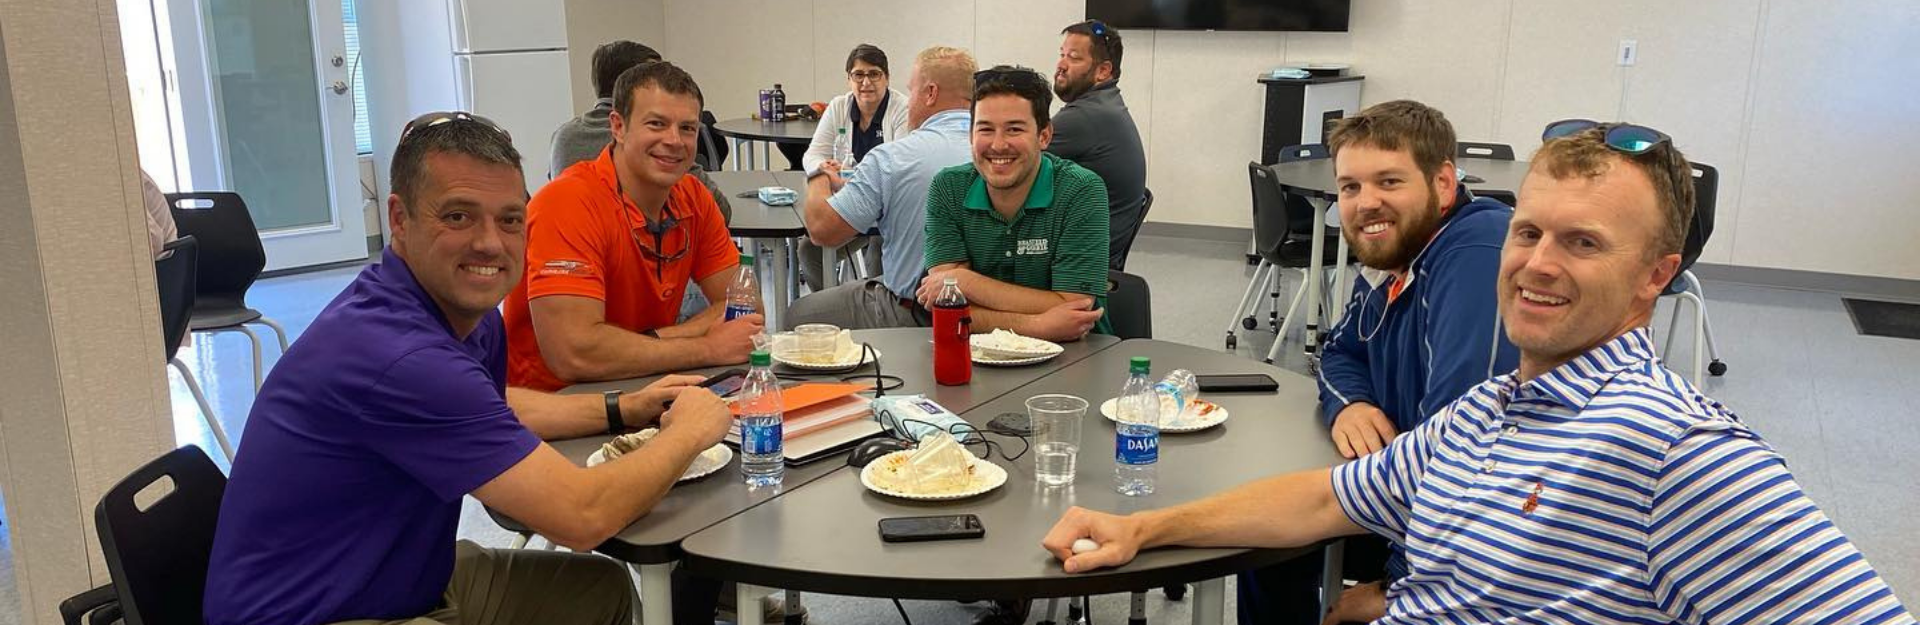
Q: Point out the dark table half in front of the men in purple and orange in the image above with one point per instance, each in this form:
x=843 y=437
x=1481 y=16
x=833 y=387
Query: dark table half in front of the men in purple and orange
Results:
x=652 y=544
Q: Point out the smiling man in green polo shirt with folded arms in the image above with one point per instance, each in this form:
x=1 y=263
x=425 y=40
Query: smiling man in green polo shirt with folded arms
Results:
x=1022 y=231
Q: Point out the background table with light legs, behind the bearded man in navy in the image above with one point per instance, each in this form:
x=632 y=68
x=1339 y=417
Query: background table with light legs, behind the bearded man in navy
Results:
x=1316 y=181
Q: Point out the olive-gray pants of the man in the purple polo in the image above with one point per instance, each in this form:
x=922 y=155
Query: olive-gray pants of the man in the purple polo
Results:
x=506 y=586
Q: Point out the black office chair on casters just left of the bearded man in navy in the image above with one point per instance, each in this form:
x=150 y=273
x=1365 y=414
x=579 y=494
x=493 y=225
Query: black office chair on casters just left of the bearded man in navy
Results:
x=1282 y=239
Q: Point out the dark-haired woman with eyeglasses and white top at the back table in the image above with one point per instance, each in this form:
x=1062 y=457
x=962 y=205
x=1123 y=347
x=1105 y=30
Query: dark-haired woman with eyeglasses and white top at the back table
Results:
x=869 y=114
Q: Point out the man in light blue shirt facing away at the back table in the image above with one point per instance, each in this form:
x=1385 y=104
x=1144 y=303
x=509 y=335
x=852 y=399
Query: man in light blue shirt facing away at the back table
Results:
x=890 y=191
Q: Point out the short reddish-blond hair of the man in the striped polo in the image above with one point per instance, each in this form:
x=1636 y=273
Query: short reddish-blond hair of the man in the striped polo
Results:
x=1587 y=156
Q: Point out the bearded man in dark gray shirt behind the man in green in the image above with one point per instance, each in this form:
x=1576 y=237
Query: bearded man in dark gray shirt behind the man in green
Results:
x=1095 y=129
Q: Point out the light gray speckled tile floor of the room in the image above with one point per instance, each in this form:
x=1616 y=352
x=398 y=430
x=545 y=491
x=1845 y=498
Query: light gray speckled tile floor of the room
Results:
x=1835 y=404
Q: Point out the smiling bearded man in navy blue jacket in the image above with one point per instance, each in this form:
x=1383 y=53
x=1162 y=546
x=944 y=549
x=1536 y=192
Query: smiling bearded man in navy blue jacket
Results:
x=1424 y=325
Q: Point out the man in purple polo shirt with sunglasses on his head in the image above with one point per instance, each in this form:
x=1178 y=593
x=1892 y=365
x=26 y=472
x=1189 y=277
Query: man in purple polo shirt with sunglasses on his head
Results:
x=345 y=499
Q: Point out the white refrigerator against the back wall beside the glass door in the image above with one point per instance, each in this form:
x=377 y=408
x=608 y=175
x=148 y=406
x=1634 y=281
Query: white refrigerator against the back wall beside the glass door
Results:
x=510 y=66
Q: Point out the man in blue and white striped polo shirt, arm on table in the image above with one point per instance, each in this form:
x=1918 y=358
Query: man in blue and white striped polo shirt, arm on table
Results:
x=1591 y=486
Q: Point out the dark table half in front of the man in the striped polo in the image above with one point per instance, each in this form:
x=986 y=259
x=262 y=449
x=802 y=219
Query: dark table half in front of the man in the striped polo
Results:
x=825 y=538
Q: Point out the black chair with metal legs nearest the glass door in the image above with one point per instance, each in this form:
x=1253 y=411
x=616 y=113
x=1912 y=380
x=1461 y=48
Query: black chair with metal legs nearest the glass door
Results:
x=231 y=260
